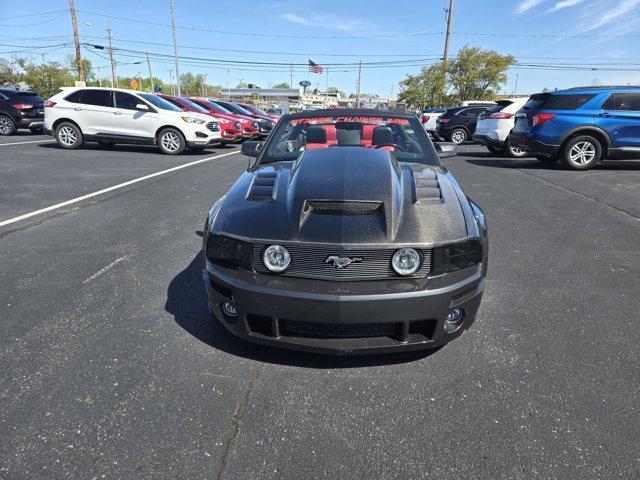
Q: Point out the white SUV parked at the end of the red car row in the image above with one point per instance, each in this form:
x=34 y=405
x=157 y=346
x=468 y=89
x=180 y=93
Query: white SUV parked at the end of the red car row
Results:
x=113 y=115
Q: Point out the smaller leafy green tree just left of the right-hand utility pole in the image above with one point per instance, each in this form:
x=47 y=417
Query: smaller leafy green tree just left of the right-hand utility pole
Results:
x=426 y=89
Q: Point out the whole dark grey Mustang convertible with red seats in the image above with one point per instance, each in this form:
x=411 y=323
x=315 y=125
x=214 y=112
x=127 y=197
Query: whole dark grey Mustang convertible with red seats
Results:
x=346 y=235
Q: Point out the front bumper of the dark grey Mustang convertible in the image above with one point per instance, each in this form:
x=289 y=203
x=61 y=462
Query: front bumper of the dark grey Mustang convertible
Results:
x=290 y=313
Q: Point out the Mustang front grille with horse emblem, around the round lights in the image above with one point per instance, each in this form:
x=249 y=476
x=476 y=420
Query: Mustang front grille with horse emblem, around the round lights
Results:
x=310 y=261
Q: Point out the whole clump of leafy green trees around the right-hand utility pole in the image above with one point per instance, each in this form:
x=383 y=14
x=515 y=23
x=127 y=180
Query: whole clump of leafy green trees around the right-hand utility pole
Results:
x=474 y=74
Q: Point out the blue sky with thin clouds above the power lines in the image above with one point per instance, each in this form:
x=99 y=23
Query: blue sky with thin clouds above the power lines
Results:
x=592 y=32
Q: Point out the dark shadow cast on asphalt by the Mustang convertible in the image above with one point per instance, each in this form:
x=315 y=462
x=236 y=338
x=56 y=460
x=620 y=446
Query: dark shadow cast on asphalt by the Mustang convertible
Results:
x=187 y=302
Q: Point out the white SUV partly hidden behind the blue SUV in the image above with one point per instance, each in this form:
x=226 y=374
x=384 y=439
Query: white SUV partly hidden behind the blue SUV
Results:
x=495 y=124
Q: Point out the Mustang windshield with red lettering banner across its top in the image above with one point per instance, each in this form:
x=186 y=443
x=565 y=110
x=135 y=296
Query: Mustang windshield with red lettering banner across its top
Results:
x=403 y=137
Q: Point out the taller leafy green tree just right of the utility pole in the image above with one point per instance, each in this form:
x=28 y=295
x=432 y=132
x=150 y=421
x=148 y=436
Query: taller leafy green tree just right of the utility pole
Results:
x=477 y=74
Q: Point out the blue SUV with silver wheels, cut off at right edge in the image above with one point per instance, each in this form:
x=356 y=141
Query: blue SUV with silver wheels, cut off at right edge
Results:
x=580 y=126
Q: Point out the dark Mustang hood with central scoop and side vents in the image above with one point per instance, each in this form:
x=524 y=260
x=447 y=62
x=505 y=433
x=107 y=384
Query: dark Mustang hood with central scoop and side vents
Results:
x=345 y=195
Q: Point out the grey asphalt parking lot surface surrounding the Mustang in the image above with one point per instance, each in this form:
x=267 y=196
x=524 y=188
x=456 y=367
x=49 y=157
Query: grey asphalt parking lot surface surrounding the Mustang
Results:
x=112 y=368
